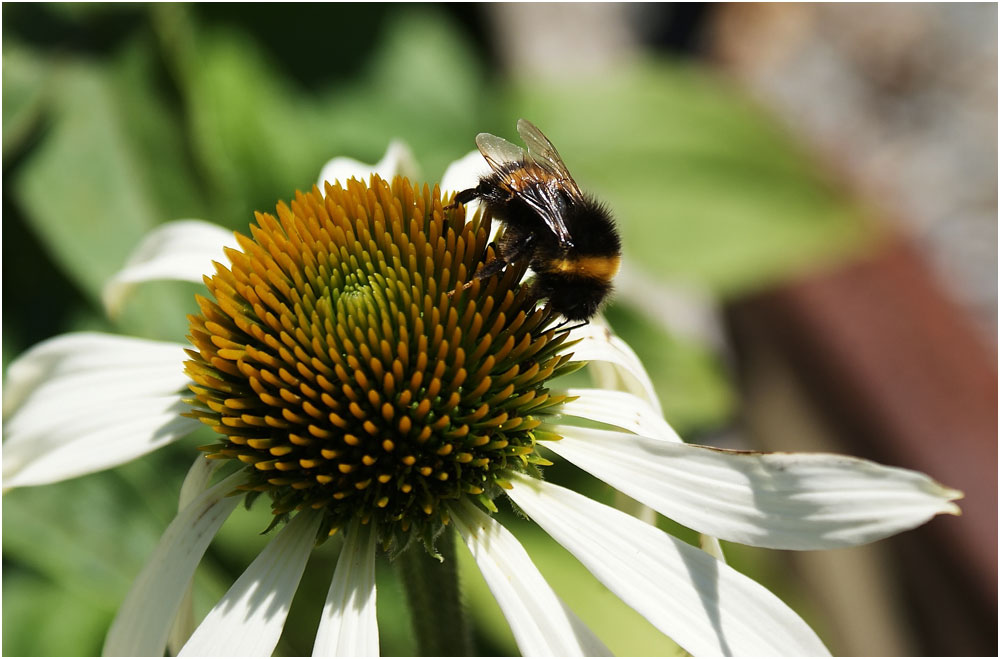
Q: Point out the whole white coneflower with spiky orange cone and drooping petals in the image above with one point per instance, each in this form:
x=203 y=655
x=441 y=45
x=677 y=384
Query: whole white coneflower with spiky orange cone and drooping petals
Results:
x=349 y=387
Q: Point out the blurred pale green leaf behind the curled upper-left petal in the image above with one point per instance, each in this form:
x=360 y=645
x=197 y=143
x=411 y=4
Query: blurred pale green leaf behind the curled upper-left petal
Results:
x=84 y=192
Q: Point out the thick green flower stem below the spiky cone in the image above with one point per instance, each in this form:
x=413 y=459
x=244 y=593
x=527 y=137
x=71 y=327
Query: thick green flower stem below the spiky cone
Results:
x=439 y=621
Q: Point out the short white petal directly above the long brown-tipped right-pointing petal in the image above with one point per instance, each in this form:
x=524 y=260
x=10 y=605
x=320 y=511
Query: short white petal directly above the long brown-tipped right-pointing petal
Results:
x=618 y=408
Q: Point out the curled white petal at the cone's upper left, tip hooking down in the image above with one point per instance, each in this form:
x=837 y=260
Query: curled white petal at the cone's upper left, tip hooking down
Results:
x=182 y=250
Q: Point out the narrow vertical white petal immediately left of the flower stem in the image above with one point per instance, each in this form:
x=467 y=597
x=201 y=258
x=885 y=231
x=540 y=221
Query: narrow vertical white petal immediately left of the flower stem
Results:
x=348 y=627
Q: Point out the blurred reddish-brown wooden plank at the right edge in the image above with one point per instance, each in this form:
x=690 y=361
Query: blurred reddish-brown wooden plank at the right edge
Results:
x=902 y=374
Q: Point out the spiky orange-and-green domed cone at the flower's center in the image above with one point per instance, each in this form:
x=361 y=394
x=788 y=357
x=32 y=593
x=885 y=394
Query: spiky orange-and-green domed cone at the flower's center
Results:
x=345 y=364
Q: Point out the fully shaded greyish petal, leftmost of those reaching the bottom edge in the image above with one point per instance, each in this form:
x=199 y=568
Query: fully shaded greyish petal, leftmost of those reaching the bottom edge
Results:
x=145 y=617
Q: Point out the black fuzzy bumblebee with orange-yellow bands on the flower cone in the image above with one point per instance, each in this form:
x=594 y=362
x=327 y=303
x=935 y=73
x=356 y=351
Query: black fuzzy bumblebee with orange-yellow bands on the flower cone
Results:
x=568 y=238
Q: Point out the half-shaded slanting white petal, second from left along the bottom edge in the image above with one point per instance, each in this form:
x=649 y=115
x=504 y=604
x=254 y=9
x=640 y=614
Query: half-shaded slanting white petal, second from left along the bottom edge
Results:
x=249 y=618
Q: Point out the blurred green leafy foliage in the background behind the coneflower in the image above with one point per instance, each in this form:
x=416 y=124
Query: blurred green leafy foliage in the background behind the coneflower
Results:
x=118 y=118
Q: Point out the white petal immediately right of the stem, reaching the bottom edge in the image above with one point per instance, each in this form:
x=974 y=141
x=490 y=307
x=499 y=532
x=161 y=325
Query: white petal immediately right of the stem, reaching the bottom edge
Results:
x=541 y=623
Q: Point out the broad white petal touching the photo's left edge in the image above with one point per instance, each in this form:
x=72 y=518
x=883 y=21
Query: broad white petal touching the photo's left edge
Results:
x=85 y=402
